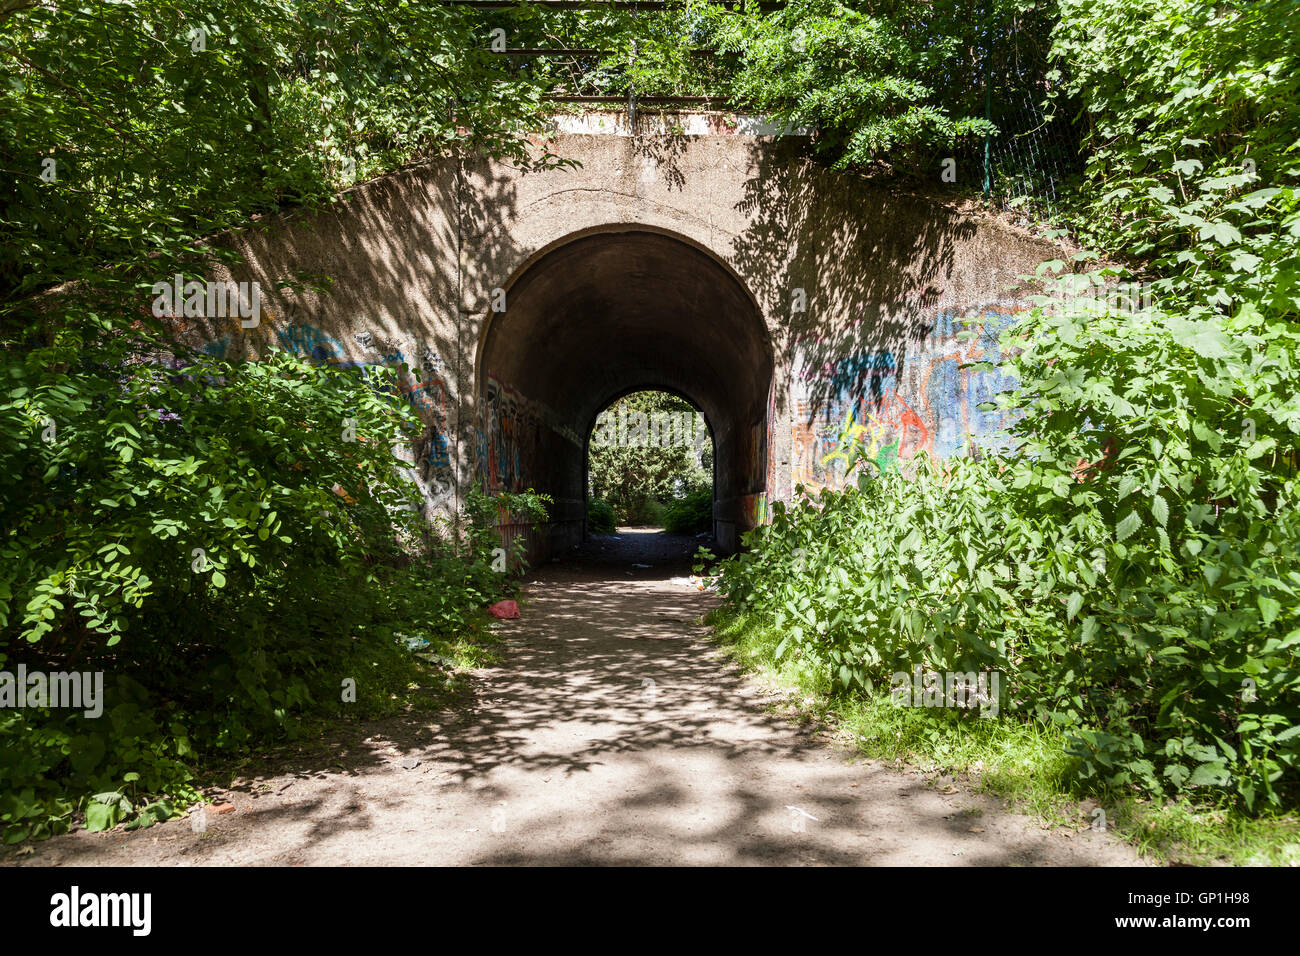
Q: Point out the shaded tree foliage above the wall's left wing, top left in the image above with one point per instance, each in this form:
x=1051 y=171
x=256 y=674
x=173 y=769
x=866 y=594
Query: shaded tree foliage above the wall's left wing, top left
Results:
x=170 y=120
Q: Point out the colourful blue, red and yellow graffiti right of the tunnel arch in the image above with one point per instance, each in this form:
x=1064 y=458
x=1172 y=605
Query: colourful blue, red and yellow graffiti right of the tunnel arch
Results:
x=873 y=405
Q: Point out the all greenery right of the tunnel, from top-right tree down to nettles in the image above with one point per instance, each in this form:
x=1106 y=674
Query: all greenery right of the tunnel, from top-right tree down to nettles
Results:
x=1133 y=568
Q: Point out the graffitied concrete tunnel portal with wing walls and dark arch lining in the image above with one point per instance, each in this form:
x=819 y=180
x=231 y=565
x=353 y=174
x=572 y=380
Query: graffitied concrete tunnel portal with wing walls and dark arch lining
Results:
x=848 y=292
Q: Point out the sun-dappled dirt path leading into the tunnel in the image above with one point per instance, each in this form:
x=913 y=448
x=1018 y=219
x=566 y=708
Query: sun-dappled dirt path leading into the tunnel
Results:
x=610 y=734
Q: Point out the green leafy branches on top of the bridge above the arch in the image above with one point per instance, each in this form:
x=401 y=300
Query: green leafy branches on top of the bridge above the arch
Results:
x=887 y=86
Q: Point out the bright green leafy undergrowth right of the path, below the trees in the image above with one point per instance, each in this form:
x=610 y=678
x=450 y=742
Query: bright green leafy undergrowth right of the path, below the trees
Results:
x=1133 y=570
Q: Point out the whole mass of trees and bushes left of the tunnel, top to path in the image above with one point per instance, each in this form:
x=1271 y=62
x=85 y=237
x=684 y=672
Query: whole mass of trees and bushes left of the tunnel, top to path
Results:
x=224 y=542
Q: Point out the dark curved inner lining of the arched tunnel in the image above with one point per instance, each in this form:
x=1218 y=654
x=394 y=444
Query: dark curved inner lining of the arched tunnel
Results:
x=605 y=314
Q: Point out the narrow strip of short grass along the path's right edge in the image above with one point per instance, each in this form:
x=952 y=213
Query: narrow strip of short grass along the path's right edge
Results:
x=1020 y=760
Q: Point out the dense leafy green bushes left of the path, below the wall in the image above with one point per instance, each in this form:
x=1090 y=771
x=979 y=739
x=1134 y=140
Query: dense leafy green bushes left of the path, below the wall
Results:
x=227 y=544
